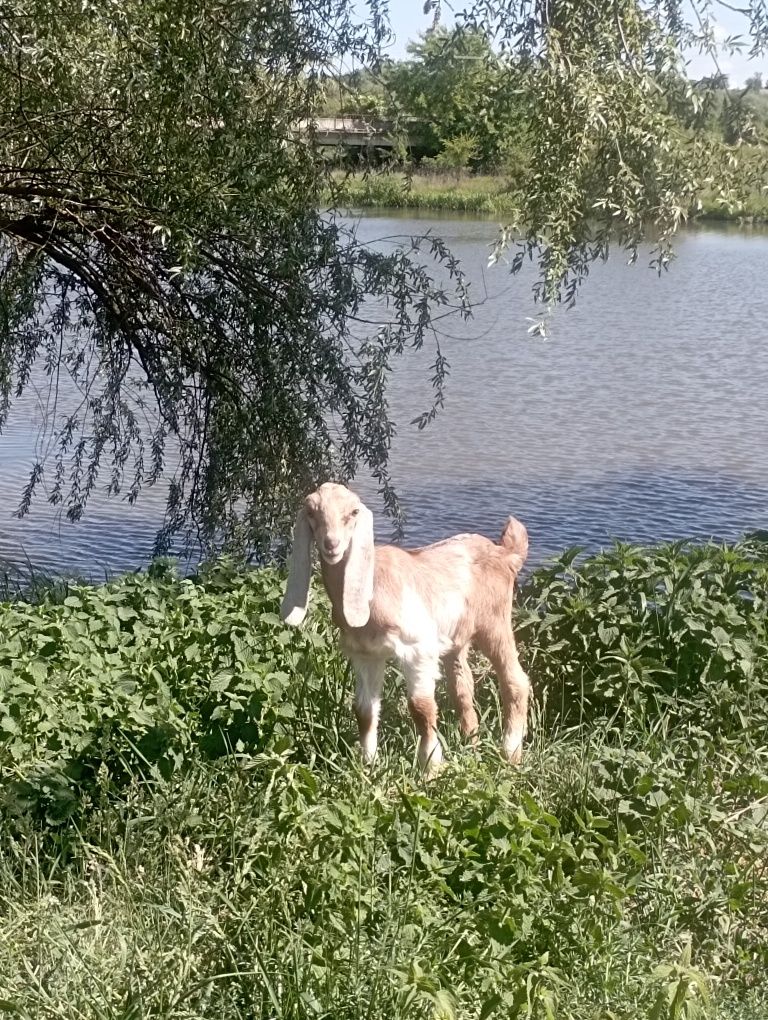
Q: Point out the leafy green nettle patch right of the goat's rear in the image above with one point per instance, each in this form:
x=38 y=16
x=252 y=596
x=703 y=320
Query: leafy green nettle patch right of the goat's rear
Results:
x=642 y=639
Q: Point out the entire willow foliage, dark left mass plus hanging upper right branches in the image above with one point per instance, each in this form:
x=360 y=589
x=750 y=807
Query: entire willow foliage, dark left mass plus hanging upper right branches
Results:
x=163 y=242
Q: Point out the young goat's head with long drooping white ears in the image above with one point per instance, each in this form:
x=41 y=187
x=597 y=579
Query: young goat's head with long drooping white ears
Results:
x=342 y=527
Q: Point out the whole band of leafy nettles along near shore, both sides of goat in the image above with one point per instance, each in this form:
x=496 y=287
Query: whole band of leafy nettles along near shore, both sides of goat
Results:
x=648 y=652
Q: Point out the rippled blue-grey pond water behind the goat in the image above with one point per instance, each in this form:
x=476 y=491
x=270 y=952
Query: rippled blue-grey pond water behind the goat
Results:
x=644 y=418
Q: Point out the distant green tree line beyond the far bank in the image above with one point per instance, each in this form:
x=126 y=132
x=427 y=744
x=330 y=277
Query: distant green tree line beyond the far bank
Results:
x=466 y=105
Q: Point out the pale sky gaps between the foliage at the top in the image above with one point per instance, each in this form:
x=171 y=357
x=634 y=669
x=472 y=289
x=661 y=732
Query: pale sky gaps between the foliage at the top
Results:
x=408 y=21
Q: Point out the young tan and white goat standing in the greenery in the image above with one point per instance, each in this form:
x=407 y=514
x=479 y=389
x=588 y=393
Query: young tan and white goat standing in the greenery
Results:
x=420 y=606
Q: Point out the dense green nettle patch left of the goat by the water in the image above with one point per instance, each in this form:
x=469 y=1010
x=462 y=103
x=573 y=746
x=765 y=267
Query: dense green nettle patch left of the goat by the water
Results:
x=144 y=675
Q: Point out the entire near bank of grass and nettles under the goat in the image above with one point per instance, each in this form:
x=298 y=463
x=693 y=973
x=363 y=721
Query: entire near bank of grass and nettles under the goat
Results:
x=187 y=832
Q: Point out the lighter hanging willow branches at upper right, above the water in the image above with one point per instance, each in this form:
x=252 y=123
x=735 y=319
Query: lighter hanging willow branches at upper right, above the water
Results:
x=609 y=164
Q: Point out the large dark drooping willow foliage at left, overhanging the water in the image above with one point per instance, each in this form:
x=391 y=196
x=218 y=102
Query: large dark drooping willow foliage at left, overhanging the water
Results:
x=165 y=259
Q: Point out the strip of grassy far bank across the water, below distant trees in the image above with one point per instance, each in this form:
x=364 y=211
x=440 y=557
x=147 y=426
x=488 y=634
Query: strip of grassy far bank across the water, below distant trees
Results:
x=490 y=195
